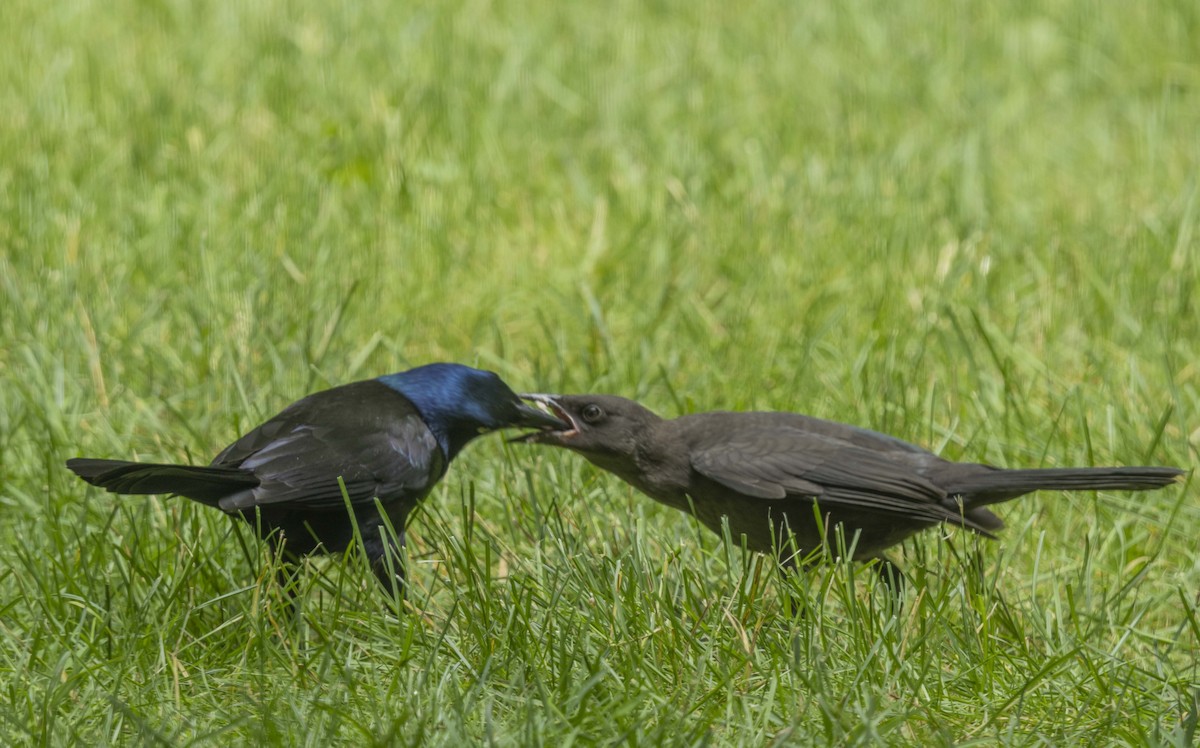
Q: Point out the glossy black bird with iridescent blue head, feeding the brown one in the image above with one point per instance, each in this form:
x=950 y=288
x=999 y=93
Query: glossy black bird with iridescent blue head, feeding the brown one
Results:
x=391 y=439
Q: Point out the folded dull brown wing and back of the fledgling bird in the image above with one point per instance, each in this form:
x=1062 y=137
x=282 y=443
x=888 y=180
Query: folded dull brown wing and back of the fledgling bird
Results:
x=772 y=459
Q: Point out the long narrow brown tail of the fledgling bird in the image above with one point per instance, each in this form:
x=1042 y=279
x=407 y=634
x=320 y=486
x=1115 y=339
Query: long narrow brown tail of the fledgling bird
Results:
x=992 y=487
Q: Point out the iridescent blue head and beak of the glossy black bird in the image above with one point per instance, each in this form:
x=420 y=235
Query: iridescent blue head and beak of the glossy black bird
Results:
x=459 y=404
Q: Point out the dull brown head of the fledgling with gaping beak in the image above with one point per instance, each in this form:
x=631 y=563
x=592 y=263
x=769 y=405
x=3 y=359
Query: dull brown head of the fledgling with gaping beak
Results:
x=603 y=428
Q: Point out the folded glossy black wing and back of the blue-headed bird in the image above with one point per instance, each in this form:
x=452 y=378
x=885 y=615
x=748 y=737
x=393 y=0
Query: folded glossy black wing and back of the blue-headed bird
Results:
x=365 y=434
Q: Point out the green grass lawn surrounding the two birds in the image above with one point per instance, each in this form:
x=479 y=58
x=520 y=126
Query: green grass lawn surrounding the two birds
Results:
x=975 y=228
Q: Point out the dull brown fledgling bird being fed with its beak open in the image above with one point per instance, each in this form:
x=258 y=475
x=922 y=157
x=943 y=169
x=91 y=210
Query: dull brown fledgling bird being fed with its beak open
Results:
x=770 y=474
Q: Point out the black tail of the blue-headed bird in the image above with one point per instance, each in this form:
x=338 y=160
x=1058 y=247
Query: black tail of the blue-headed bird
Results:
x=207 y=486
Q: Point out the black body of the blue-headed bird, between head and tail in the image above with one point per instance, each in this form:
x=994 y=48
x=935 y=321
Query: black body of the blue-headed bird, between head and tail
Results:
x=365 y=434
